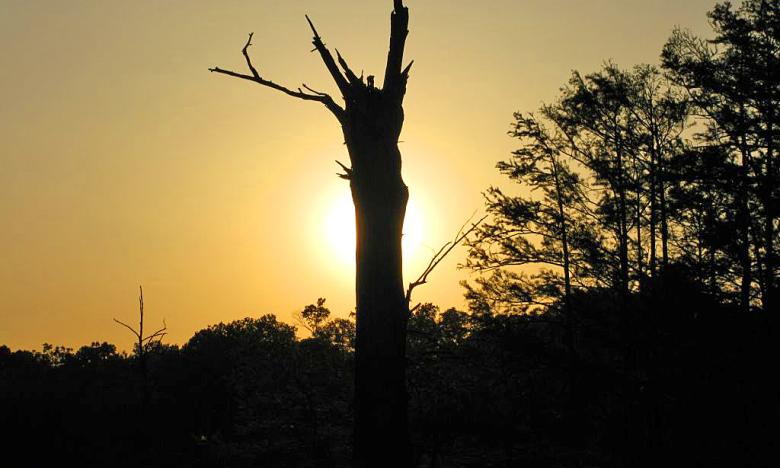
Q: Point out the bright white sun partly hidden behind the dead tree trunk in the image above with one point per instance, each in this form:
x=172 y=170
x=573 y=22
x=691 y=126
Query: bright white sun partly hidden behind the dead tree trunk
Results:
x=339 y=228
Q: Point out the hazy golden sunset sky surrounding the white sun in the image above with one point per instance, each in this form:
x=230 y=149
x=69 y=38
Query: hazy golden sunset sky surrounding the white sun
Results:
x=123 y=161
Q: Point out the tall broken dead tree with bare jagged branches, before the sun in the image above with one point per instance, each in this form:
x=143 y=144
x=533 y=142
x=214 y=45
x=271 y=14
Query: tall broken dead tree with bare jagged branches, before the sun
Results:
x=371 y=119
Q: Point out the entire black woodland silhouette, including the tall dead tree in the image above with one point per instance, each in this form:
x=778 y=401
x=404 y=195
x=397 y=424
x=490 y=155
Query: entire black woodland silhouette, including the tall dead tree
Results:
x=624 y=312
